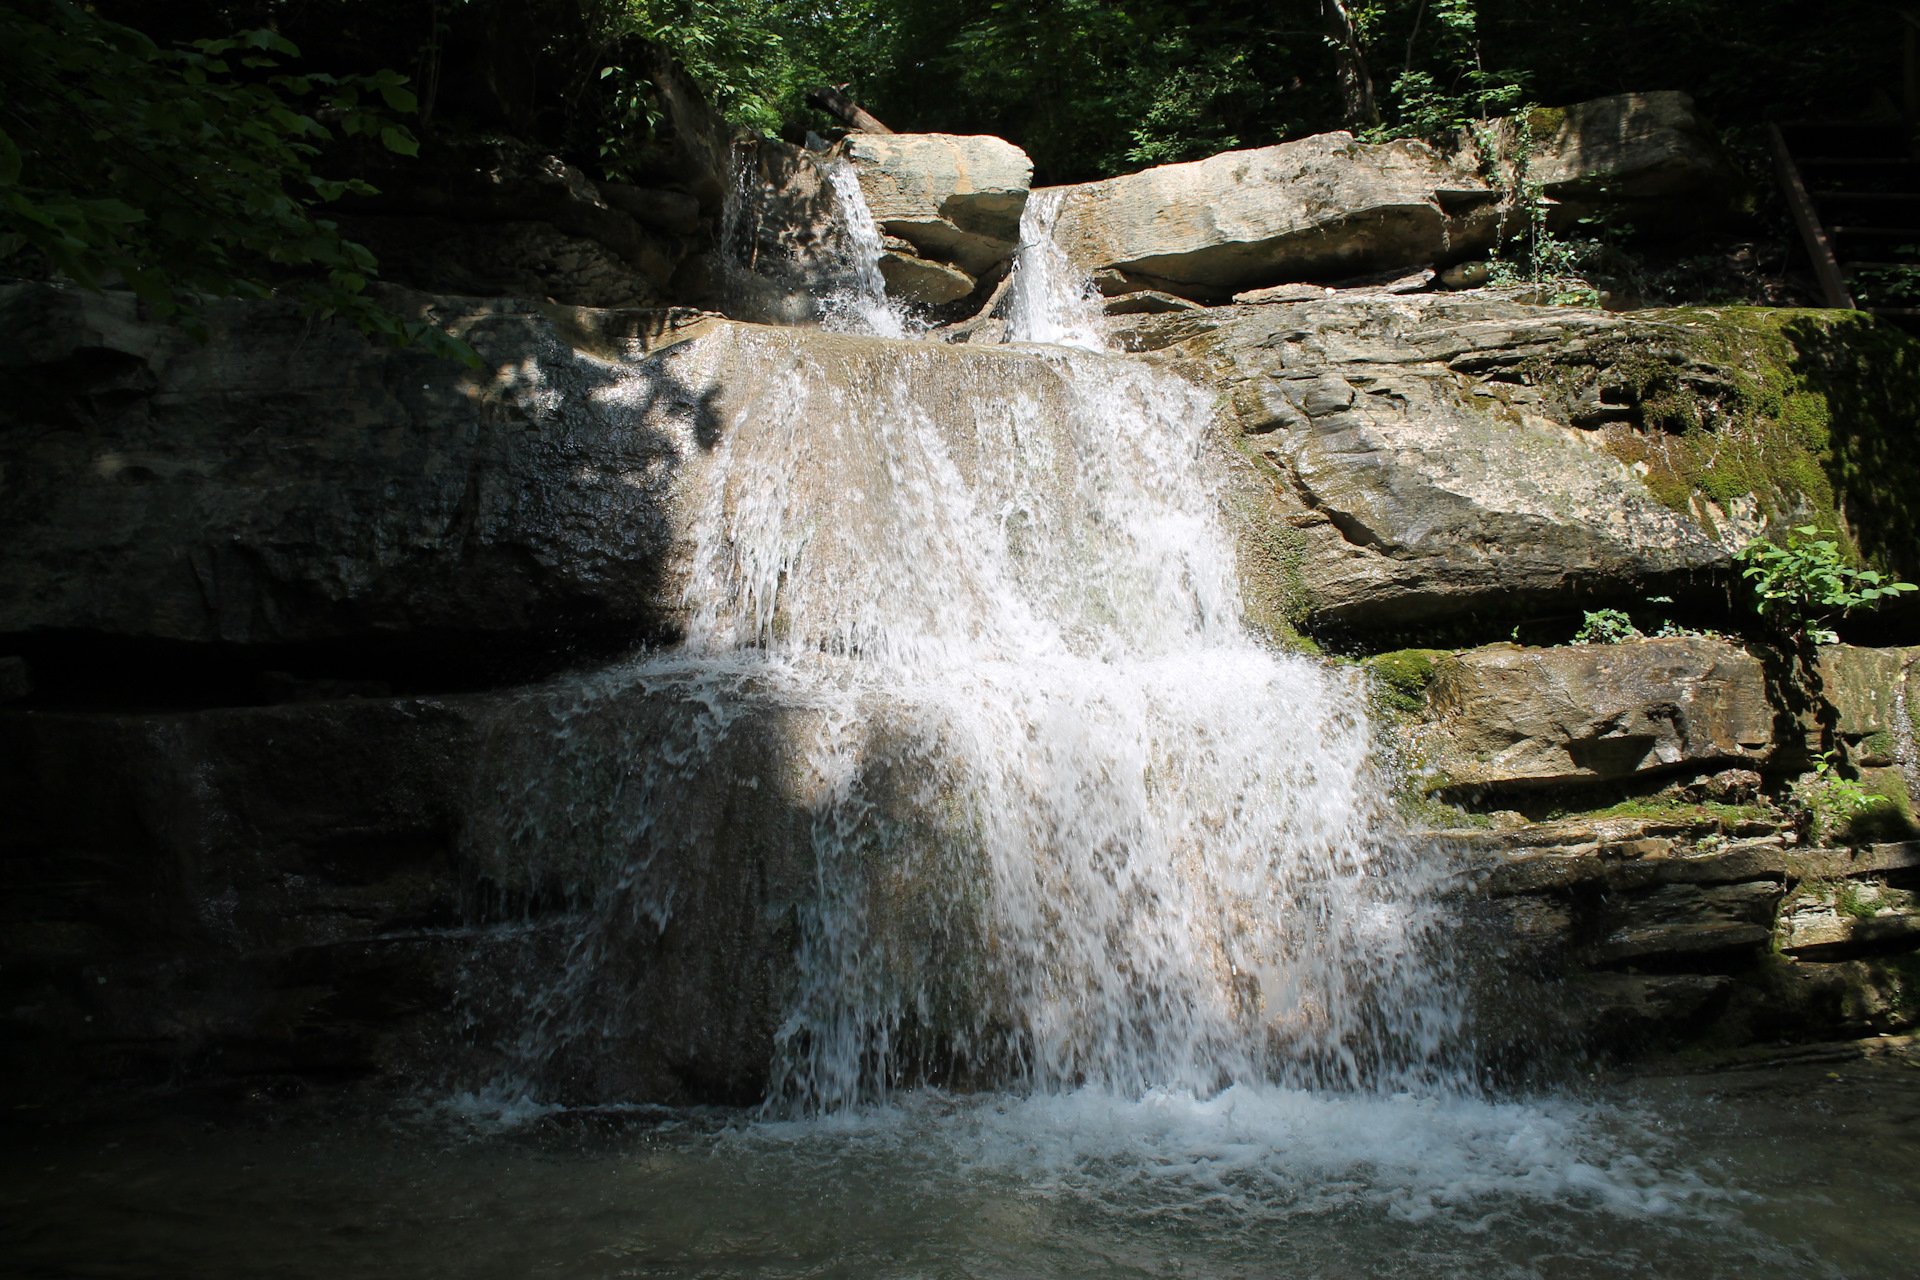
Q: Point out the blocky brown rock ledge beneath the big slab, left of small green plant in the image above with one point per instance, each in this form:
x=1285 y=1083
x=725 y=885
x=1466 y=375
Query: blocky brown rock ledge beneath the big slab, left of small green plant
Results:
x=1508 y=717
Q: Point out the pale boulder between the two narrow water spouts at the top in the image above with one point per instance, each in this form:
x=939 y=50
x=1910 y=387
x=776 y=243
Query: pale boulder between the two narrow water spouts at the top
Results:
x=955 y=199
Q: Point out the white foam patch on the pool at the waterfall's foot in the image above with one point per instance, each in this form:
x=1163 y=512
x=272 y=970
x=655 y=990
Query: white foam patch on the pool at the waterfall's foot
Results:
x=1257 y=1154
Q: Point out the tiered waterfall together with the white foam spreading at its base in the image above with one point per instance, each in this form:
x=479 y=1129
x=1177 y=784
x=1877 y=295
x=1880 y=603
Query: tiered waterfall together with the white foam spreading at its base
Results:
x=971 y=776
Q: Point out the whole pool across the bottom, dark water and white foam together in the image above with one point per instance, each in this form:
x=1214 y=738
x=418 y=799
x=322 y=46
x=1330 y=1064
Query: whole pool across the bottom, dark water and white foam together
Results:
x=1792 y=1172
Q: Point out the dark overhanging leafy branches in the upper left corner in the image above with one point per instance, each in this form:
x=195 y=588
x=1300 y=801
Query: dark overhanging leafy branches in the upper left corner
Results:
x=187 y=172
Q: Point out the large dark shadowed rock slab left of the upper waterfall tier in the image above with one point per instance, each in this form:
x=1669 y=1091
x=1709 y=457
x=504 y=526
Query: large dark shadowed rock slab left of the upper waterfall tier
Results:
x=293 y=496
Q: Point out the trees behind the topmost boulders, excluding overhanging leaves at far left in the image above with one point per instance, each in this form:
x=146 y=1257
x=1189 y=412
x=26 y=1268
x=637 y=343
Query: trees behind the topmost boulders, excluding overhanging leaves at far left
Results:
x=1088 y=87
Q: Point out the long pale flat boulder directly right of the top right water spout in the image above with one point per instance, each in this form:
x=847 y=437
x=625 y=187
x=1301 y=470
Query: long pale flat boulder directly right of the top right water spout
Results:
x=1312 y=210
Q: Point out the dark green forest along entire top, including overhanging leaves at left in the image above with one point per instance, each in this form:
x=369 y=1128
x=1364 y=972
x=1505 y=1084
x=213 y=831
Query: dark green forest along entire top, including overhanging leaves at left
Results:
x=191 y=149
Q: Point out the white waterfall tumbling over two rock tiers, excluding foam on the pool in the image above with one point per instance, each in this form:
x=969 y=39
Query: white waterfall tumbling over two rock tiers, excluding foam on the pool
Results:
x=967 y=644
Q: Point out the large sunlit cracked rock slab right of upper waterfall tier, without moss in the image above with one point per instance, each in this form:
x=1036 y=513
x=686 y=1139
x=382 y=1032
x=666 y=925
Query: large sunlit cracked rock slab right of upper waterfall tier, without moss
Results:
x=1399 y=469
